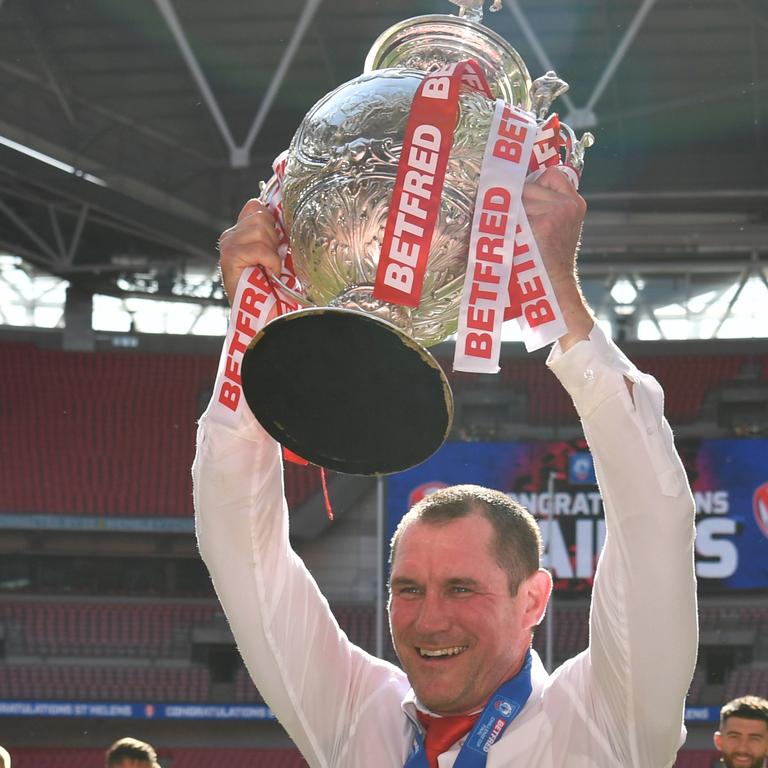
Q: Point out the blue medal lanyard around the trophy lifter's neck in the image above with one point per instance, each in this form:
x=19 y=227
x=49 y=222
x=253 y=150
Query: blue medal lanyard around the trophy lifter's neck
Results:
x=502 y=708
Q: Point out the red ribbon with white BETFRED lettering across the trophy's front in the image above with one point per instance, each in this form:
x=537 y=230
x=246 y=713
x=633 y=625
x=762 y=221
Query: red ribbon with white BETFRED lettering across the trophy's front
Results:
x=415 y=202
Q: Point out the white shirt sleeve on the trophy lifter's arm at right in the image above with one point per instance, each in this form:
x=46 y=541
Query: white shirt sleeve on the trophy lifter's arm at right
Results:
x=643 y=621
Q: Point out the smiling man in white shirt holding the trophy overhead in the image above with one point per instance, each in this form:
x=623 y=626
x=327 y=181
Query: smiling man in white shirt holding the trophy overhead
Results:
x=464 y=599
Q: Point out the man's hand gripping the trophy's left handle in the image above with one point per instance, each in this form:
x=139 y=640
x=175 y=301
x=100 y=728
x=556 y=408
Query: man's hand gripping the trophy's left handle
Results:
x=251 y=242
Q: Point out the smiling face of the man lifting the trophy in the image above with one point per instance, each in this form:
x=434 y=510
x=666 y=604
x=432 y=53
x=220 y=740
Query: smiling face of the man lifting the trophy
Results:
x=457 y=630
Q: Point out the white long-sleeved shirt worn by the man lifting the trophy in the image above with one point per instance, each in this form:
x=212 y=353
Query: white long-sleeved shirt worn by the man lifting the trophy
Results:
x=619 y=703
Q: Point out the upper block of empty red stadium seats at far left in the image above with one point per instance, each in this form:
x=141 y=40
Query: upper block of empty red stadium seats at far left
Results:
x=116 y=434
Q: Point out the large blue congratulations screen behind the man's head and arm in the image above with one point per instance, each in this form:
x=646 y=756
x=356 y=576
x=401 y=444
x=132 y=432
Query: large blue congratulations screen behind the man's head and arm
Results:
x=729 y=479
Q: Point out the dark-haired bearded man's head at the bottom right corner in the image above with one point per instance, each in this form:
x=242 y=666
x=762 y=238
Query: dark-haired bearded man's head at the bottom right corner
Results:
x=743 y=736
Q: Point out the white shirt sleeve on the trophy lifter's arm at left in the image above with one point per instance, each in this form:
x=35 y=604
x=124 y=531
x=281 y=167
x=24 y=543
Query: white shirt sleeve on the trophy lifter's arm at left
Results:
x=311 y=676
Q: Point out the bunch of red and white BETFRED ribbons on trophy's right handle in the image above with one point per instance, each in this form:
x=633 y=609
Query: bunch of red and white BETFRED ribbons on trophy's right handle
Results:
x=517 y=151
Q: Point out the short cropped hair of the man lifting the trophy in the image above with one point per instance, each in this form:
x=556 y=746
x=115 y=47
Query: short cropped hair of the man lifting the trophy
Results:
x=516 y=541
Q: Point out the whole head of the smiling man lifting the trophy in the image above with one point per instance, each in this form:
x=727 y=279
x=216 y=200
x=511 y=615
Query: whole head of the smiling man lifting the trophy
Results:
x=466 y=592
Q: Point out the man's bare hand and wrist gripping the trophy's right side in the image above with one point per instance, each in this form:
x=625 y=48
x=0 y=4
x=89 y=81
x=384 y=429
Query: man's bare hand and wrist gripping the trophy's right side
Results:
x=556 y=212
